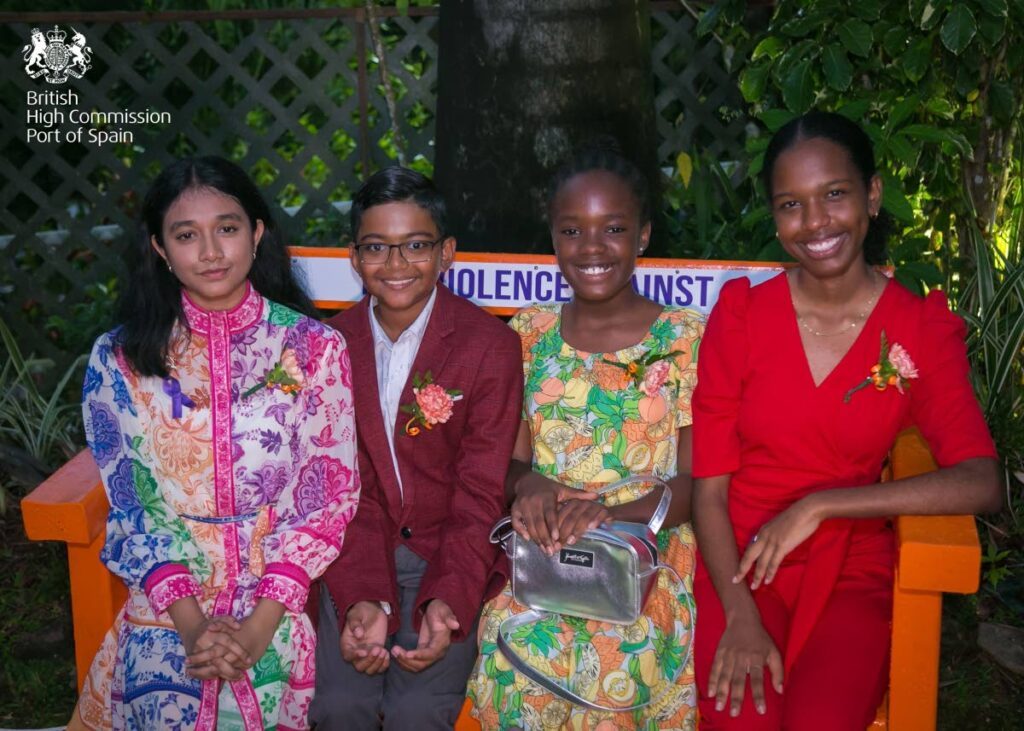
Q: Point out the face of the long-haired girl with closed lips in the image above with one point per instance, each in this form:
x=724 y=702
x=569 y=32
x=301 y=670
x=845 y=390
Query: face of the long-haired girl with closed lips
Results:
x=209 y=244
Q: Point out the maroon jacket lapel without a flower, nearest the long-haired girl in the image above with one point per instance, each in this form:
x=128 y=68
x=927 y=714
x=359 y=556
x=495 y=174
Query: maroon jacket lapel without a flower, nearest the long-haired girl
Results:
x=370 y=419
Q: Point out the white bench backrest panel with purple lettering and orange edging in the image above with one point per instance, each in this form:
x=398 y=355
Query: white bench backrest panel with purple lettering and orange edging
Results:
x=504 y=283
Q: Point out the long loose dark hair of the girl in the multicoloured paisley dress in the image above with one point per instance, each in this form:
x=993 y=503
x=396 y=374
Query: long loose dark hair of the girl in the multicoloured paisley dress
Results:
x=151 y=304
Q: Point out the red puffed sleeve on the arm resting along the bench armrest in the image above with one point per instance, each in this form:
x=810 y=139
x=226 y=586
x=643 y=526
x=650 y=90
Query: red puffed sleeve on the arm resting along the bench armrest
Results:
x=944 y=405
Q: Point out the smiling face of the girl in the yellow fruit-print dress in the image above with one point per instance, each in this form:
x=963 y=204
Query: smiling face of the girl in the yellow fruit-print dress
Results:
x=598 y=234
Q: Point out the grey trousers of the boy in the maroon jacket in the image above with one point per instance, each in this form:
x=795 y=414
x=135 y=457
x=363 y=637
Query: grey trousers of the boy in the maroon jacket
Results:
x=397 y=700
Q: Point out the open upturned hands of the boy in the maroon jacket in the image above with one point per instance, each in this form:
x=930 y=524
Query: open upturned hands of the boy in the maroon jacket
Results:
x=365 y=636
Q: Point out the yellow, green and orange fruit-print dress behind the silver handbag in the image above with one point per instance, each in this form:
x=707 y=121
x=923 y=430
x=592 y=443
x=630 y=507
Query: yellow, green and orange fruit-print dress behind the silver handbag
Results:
x=594 y=419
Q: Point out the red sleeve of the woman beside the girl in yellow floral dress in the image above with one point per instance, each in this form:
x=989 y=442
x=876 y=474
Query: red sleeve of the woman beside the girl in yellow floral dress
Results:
x=721 y=369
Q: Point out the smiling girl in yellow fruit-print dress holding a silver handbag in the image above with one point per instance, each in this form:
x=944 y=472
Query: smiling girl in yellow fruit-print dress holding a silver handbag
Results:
x=609 y=379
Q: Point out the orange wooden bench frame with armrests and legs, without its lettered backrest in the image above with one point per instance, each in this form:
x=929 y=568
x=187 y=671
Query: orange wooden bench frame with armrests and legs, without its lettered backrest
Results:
x=936 y=555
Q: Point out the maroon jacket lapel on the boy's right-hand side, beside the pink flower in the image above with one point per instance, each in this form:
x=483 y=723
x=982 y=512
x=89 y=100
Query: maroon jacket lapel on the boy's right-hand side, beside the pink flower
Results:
x=432 y=357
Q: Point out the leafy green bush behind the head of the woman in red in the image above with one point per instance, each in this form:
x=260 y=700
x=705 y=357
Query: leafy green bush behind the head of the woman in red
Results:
x=934 y=83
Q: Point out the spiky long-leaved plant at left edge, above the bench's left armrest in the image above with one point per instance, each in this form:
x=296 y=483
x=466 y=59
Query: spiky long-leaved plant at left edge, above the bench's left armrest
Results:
x=38 y=433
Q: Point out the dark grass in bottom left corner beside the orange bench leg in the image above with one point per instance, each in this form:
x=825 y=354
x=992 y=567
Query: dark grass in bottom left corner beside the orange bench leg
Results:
x=37 y=666
